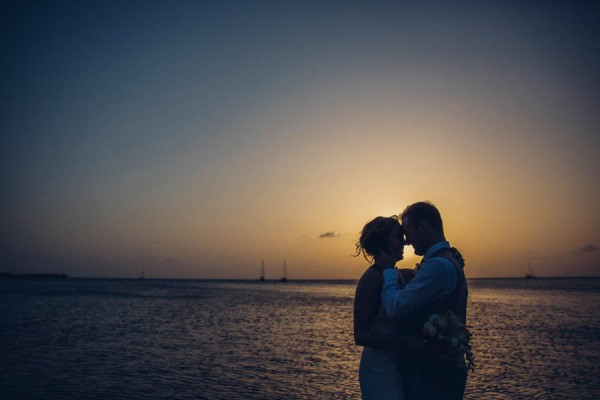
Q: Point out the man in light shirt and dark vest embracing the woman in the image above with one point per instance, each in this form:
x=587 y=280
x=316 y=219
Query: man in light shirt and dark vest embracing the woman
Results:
x=438 y=285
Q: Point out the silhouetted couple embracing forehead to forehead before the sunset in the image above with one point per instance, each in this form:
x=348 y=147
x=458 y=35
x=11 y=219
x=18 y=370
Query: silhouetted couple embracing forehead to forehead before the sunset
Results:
x=411 y=322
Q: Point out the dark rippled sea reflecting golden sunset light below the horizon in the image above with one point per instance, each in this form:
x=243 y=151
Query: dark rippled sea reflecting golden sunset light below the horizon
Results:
x=166 y=339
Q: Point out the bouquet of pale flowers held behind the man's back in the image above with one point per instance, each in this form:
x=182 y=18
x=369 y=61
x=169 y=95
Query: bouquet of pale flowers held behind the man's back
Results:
x=448 y=337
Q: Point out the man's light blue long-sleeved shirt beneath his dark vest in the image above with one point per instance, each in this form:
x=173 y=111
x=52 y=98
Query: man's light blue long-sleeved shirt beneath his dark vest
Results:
x=436 y=277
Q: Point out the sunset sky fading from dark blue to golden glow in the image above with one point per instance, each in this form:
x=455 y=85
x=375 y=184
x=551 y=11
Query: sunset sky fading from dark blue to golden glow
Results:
x=193 y=139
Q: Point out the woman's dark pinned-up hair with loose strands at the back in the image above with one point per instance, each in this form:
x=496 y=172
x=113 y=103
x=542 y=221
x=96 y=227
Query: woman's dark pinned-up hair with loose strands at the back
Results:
x=374 y=237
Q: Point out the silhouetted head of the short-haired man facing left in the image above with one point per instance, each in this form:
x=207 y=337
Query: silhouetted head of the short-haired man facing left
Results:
x=423 y=226
